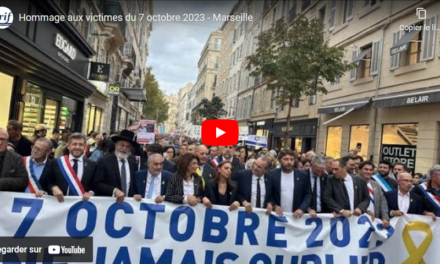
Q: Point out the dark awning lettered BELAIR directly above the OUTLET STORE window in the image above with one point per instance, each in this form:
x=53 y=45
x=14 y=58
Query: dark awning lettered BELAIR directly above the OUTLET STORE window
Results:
x=414 y=97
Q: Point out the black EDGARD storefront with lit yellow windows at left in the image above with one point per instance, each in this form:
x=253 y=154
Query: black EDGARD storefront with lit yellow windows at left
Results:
x=43 y=70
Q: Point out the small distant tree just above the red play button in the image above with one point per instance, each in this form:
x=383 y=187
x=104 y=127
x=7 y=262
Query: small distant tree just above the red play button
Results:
x=209 y=110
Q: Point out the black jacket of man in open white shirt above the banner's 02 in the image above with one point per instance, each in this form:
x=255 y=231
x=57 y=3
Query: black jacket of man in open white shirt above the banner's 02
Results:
x=334 y=197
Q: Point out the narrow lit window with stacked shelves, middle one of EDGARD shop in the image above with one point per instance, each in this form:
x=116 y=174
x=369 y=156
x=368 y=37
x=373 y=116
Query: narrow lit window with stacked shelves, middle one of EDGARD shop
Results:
x=33 y=104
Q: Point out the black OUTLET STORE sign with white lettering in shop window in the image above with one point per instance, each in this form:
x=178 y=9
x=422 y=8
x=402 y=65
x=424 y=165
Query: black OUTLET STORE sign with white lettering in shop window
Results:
x=405 y=154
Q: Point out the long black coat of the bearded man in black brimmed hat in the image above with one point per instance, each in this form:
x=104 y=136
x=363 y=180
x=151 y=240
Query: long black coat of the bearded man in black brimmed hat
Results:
x=108 y=176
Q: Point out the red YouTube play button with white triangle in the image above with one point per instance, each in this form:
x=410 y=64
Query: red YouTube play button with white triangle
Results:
x=220 y=132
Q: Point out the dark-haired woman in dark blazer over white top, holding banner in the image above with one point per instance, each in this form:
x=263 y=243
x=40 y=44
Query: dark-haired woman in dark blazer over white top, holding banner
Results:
x=185 y=186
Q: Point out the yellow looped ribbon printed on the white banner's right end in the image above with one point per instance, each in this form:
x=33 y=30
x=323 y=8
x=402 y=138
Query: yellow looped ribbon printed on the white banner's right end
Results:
x=416 y=253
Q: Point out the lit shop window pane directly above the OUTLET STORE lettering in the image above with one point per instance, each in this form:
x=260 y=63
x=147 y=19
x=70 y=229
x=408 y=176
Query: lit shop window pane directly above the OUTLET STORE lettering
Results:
x=400 y=134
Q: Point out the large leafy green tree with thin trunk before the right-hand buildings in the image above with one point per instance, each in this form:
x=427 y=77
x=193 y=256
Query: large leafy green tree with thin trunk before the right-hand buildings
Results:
x=295 y=59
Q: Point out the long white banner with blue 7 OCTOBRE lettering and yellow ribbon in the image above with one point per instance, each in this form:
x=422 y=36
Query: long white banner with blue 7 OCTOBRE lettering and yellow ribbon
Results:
x=144 y=232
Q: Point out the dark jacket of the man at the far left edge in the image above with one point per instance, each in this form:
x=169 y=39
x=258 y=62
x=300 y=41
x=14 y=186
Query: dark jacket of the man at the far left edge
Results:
x=13 y=177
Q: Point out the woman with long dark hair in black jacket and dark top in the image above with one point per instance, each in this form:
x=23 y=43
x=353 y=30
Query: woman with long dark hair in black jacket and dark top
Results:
x=221 y=190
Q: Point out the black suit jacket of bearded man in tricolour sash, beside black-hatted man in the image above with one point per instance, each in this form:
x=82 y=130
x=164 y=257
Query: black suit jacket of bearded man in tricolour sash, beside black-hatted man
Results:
x=56 y=177
